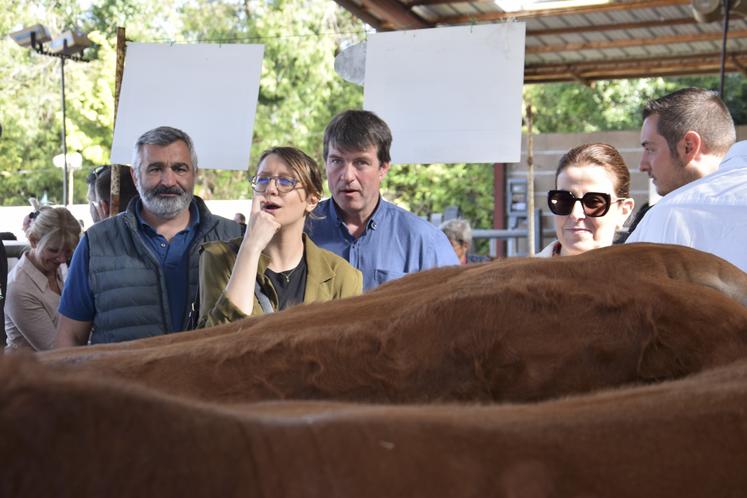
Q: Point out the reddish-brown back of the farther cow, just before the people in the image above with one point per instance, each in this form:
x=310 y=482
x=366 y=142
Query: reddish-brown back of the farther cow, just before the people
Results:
x=517 y=330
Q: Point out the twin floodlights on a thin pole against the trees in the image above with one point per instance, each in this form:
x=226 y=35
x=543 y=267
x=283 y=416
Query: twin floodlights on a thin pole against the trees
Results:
x=68 y=46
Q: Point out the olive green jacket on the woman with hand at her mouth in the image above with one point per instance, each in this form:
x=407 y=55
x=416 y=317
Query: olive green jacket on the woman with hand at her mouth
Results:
x=328 y=277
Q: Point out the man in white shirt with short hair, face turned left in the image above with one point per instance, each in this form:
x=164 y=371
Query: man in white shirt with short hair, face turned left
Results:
x=685 y=135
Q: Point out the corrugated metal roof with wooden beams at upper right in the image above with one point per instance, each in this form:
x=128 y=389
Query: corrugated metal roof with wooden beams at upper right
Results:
x=631 y=38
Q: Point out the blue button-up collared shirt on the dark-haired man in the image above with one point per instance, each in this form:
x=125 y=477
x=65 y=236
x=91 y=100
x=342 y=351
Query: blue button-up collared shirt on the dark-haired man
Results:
x=395 y=242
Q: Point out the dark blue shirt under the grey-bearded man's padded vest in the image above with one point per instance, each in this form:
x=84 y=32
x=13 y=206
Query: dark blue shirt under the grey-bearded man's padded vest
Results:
x=78 y=302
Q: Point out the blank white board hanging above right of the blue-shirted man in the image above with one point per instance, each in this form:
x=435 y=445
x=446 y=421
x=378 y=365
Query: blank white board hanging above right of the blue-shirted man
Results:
x=450 y=95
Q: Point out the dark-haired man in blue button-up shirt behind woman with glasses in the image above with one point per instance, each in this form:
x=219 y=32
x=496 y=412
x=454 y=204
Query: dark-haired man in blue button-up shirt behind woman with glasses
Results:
x=382 y=240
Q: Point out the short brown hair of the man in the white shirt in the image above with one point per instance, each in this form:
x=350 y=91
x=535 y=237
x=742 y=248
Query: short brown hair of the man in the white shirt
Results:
x=693 y=109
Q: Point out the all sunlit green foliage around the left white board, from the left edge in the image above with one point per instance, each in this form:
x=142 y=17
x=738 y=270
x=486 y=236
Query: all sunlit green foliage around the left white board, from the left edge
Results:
x=299 y=90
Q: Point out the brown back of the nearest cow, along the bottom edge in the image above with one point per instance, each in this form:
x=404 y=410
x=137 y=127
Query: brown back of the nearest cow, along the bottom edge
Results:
x=69 y=434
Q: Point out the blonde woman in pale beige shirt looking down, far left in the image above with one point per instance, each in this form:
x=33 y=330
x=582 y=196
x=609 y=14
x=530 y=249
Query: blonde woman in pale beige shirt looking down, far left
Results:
x=36 y=281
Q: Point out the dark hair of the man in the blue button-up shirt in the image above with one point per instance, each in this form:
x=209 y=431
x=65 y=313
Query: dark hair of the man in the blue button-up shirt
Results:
x=358 y=130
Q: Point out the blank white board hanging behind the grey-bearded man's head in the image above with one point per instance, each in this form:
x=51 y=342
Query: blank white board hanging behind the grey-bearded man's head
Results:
x=208 y=91
